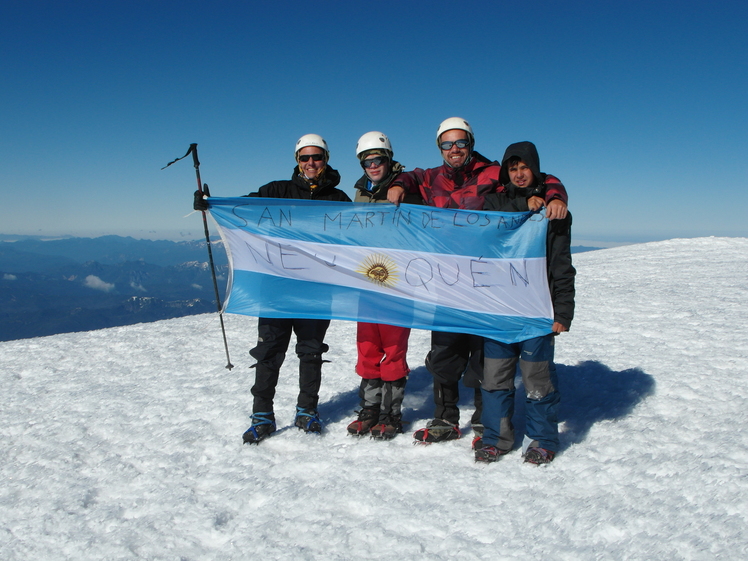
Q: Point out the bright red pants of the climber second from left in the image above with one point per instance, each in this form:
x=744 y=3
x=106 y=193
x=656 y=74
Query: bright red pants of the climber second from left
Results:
x=382 y=351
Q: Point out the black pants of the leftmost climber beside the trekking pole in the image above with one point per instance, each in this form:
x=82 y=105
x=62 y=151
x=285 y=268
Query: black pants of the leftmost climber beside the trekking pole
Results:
x=273 y=338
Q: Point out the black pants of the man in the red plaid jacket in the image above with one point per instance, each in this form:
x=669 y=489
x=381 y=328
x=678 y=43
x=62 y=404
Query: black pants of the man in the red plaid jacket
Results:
x=454 y=356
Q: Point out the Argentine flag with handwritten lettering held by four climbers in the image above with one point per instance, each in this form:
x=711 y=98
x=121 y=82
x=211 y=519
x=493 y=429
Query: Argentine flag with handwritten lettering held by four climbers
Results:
x=461 y=271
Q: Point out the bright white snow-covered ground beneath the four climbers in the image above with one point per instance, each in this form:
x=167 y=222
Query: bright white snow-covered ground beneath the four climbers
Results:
x=126 y=443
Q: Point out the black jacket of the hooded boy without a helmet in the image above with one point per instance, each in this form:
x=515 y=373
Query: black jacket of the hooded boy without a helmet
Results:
x=561 y=272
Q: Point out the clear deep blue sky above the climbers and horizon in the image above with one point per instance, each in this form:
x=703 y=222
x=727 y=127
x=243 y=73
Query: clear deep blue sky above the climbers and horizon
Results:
x=638 y=107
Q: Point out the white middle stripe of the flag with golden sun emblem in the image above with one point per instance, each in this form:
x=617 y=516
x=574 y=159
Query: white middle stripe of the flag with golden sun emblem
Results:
x=497 y=286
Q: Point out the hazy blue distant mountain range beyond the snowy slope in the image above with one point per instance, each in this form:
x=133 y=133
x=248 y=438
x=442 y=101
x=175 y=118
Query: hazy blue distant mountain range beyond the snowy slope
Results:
x=79 y=284
